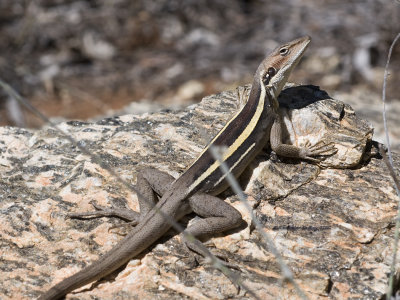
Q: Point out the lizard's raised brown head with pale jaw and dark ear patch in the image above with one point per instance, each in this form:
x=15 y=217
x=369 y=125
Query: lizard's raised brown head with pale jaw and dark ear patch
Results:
x=275 y=69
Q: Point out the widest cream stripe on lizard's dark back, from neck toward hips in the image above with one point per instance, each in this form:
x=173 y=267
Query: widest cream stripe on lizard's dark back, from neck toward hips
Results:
x=239 y=141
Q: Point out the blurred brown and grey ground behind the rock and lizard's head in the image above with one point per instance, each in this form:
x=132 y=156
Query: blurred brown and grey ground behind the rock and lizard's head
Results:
x=76 y=59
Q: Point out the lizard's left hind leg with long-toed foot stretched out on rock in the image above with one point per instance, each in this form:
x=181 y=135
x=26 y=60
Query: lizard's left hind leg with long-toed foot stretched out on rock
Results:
x=150 y=183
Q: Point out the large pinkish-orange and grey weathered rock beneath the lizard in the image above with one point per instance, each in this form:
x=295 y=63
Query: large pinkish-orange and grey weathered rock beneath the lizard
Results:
x=332 y=223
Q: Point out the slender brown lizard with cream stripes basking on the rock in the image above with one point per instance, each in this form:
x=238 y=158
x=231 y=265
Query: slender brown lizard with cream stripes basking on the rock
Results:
x=255 y=125
